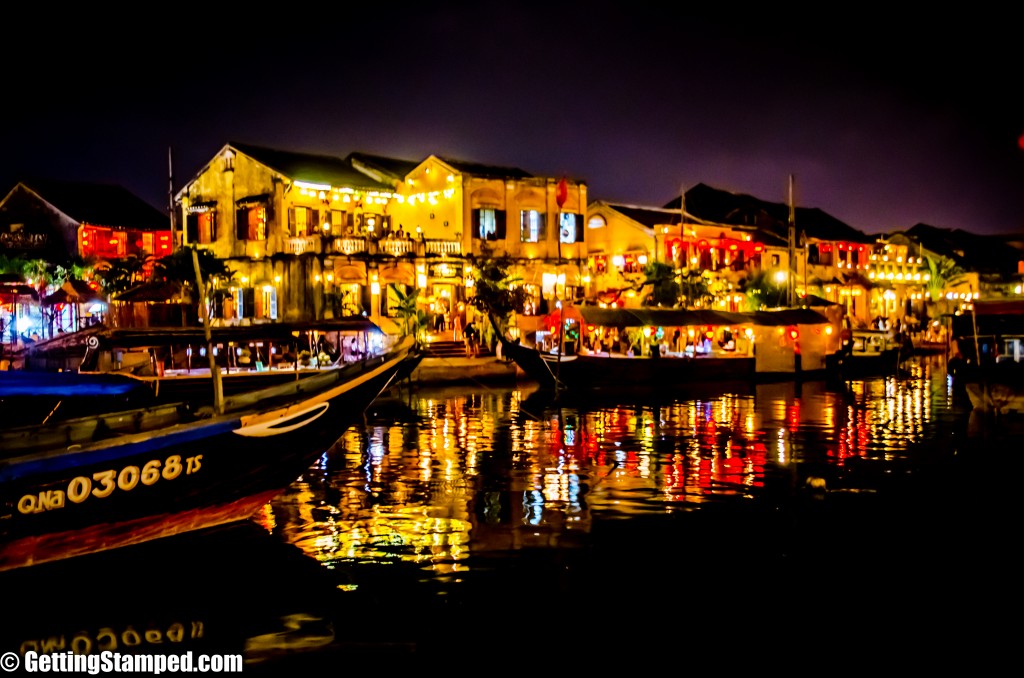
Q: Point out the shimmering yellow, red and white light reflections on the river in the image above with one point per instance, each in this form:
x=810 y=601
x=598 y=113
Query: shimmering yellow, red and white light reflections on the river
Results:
x=441 y=477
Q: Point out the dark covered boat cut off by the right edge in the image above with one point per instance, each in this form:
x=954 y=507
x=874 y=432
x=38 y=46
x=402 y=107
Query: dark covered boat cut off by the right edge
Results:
x=988 y=356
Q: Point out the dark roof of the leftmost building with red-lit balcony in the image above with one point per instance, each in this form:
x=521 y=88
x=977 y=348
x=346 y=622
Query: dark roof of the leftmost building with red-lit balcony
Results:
x=99 y=204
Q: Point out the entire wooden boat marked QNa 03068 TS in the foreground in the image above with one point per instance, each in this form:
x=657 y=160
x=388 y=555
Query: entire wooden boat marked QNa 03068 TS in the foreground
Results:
x=117 y=478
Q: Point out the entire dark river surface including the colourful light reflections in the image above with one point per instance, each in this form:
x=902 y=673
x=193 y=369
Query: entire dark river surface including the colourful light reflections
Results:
x=812 y=527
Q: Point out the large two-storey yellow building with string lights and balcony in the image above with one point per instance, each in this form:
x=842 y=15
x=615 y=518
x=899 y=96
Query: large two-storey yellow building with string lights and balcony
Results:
x=310 y=237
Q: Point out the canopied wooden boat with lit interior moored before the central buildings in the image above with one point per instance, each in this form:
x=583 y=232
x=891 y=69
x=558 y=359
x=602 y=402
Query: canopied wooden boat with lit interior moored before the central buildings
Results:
x=713 y=347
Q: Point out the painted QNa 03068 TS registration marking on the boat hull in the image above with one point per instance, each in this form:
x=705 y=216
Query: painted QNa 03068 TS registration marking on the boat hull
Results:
x=103 y=484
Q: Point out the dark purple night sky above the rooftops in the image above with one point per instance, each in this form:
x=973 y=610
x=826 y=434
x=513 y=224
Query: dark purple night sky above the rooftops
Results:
x=881 y=126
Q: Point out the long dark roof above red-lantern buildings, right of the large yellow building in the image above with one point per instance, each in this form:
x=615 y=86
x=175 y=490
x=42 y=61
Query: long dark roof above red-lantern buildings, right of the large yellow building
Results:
x=739 y=209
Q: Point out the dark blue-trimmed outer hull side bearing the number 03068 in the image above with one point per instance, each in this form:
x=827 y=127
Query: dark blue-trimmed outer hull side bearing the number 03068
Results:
x=150 y=478
